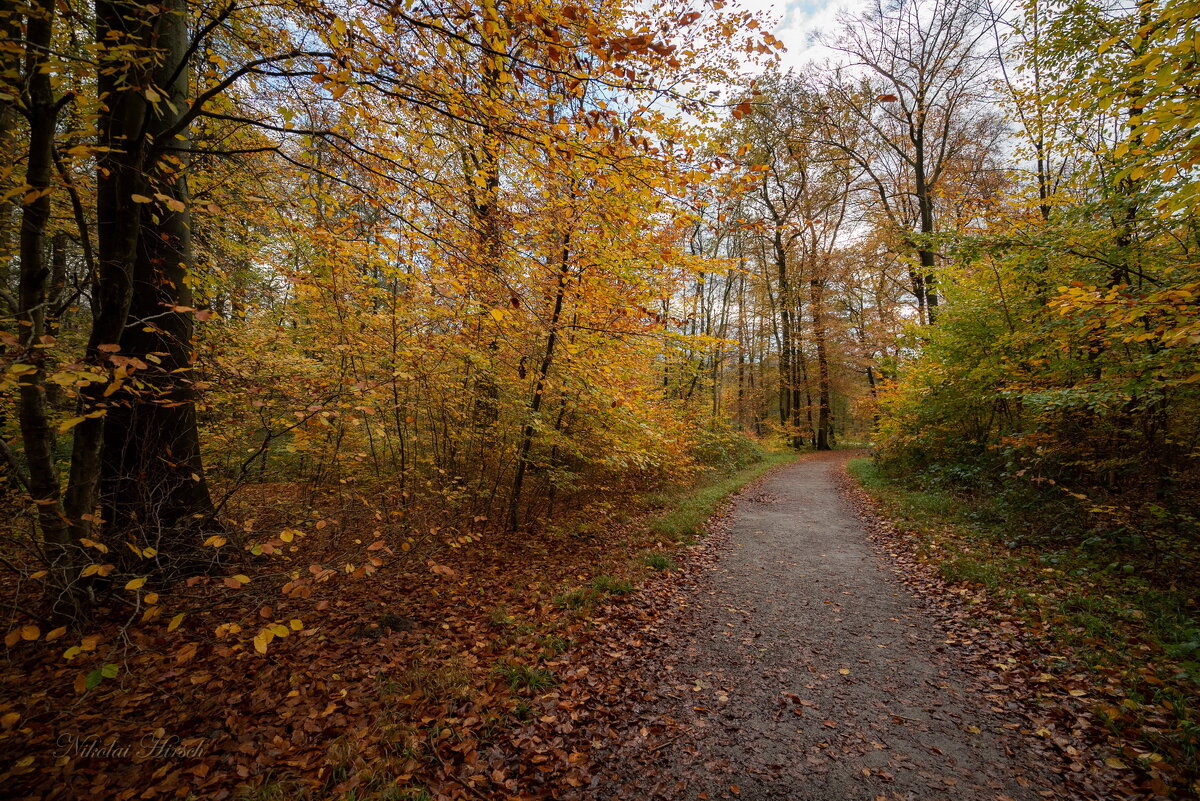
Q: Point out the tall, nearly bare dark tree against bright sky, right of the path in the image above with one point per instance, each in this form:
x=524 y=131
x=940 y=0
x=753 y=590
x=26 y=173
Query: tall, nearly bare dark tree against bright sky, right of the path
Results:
x=909 y=103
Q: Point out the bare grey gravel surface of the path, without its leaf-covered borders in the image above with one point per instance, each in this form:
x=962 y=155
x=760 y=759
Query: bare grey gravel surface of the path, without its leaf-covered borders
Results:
x=803 y=670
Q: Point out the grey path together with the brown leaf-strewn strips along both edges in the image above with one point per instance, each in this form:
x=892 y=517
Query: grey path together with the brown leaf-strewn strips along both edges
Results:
x=803 y=655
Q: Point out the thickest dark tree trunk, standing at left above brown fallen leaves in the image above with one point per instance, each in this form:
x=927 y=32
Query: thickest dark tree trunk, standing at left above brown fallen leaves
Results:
x=153 y=487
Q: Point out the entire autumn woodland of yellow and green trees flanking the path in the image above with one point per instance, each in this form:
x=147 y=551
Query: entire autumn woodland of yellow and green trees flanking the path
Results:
x=298 y=293
